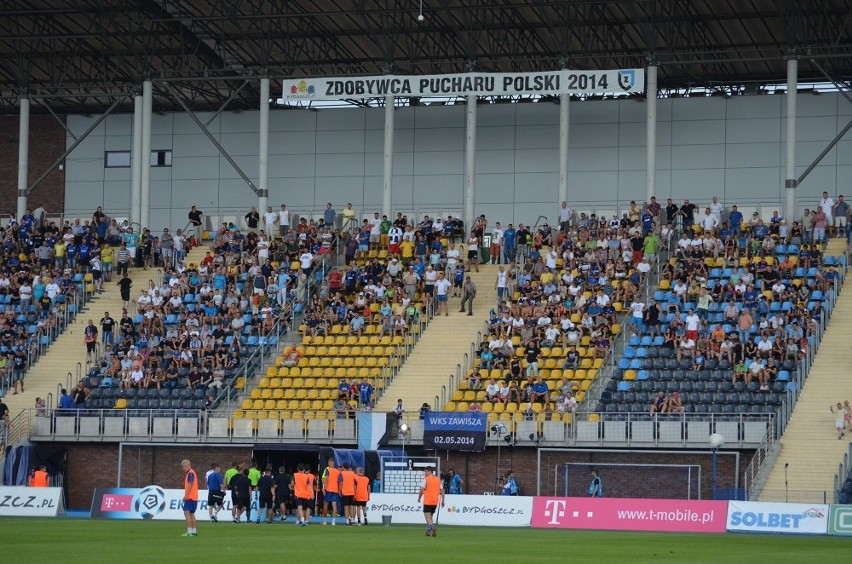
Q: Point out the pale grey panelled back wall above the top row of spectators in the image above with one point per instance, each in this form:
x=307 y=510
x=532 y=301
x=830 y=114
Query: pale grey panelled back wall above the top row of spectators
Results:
x=730 y=147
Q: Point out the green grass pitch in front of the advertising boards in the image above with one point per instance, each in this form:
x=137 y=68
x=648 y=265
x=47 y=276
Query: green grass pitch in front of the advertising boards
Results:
x=86 y=540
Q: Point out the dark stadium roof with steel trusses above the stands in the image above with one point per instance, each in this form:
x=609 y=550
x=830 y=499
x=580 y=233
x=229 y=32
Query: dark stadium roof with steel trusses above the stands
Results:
x=81 y=55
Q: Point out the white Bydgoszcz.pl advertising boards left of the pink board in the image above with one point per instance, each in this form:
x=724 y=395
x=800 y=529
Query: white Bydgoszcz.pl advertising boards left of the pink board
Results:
x=468 y=510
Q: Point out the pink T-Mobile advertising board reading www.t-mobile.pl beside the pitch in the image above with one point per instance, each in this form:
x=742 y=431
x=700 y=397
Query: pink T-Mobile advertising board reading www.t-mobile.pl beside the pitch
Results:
x=623 y=514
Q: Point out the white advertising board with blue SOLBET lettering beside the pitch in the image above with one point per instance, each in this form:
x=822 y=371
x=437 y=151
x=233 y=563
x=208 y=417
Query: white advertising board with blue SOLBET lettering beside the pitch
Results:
x=791 y=518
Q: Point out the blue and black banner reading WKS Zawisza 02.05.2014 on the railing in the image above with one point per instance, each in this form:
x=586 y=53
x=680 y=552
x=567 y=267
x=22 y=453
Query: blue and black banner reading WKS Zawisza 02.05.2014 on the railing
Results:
x=462 y=431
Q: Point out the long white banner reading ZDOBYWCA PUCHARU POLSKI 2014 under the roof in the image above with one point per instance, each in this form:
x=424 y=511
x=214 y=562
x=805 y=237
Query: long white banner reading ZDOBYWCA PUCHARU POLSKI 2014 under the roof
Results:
x=479 y=84
